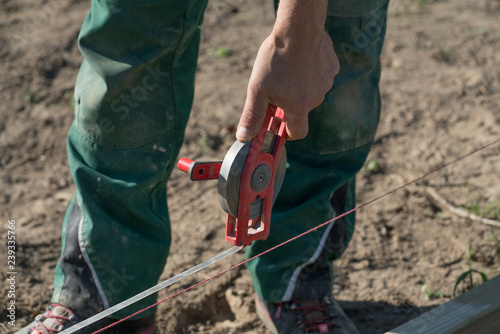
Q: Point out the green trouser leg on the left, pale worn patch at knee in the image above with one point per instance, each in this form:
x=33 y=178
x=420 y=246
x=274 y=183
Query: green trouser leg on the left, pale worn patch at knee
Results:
x=132 y=101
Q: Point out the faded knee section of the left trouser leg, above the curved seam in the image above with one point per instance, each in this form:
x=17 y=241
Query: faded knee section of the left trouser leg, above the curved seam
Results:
x=136 y=81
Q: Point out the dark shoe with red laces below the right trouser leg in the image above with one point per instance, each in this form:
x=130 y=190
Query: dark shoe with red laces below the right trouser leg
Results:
x=305 y=316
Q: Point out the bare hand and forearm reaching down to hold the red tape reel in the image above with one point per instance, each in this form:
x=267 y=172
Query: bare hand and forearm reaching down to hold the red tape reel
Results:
x=294 y=69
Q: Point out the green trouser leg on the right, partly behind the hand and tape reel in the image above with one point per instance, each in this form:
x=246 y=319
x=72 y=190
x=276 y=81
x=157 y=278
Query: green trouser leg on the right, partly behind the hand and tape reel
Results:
x=319 y=183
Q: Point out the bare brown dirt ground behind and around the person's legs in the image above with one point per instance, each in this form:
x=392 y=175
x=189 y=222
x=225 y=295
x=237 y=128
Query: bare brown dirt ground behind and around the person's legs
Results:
x=441 y=99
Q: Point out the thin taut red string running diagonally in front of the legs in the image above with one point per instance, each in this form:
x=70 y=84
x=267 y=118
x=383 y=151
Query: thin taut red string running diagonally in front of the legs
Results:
x=301 y=235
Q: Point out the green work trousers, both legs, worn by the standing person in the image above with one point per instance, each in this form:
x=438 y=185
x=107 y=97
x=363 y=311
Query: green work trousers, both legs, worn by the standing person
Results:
x=133 y=97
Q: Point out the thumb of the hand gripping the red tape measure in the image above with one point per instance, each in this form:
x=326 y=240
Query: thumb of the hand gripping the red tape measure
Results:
x=252 y=118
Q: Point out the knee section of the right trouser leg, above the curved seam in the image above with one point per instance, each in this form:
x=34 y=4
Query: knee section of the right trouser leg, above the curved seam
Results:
x=350 y=112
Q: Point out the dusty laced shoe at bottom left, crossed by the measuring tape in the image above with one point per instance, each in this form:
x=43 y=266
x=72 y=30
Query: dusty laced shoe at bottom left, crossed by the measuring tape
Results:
x=58 y=318
